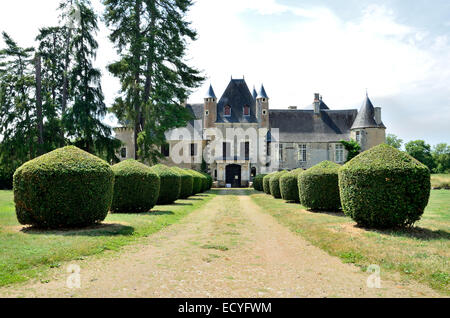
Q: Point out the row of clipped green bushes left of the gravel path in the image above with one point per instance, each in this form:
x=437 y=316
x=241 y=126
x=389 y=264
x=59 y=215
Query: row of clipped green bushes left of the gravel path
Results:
x=69 y=188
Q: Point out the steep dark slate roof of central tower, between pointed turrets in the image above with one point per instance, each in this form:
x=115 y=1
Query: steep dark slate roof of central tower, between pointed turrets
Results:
x=236 y=95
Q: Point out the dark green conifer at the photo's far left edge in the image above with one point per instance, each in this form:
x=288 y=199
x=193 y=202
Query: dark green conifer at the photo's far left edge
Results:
x=18 y=120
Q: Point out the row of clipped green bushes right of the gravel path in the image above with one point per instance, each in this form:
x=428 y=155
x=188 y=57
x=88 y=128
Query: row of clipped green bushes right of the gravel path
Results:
x=380 y=188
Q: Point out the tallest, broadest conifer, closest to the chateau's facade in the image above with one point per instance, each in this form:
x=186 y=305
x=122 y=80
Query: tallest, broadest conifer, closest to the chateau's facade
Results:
x=151 y=38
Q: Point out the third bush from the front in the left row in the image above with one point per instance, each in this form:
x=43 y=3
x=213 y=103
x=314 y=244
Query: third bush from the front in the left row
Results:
x=170 y=188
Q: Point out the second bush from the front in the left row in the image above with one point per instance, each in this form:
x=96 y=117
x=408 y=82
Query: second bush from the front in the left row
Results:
x=136 y=187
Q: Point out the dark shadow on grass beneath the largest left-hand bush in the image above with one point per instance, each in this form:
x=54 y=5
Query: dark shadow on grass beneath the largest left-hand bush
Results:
x=102 y=229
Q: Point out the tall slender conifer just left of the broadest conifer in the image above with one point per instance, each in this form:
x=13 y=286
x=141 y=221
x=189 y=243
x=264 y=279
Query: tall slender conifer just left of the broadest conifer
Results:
x=83 y=120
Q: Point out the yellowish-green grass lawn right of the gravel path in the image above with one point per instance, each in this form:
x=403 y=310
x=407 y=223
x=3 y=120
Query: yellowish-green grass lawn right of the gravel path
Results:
x=421 y=253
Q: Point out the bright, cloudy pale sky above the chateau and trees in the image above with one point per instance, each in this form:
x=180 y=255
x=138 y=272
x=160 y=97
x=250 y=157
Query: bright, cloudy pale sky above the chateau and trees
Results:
x=397 y=50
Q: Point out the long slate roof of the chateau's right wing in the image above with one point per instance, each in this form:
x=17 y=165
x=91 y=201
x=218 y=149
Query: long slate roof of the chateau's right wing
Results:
x=304 y=126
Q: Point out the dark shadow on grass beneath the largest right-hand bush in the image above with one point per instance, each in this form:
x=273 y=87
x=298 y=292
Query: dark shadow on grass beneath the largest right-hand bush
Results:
x=419 y=233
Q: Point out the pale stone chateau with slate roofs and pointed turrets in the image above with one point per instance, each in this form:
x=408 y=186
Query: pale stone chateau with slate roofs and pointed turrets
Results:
x=293 y=138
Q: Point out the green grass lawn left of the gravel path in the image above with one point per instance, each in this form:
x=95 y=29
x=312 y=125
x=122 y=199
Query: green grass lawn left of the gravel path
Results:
x=29 y=253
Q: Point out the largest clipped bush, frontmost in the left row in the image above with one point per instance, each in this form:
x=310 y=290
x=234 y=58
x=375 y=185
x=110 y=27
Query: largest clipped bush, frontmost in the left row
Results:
x=65 y=188
